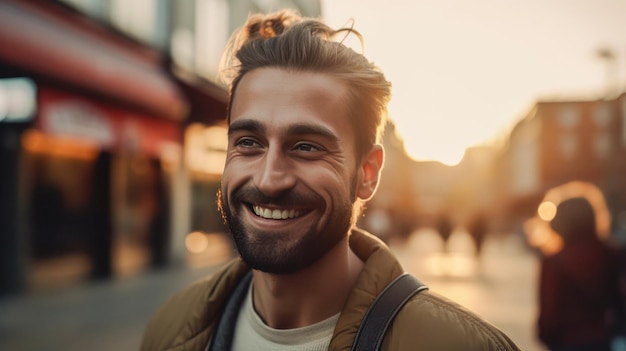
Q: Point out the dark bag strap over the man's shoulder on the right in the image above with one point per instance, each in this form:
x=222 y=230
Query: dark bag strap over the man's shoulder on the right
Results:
x=382 y=311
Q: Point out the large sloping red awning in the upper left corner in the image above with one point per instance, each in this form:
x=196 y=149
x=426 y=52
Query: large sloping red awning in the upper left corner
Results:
x=67 y=49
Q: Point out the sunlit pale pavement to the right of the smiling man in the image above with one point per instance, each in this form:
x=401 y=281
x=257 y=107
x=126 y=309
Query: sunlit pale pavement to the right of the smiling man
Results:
x=500 y=285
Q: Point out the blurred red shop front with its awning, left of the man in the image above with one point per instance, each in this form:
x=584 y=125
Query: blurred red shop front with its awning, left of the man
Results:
x=86 y=178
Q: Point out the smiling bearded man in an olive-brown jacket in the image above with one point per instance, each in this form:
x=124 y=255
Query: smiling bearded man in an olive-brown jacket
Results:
x=305 y=119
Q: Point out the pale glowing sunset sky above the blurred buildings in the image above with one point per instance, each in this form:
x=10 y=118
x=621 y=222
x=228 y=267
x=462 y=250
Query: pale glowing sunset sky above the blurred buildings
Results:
x=465 y=71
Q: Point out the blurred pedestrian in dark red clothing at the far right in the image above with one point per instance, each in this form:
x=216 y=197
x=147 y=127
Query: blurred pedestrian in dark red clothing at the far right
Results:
x=579 y=299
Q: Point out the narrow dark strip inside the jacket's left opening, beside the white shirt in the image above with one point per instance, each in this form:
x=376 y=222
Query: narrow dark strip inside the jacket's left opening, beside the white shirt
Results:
x=225 y=330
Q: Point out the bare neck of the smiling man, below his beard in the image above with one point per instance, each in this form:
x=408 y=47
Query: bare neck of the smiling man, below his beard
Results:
x=310 y=295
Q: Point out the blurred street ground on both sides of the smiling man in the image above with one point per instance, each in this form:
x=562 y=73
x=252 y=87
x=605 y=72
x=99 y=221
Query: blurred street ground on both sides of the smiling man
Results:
x=111 y=316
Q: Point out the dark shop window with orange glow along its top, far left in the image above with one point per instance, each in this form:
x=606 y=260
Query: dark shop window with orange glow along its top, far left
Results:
x=58 y=176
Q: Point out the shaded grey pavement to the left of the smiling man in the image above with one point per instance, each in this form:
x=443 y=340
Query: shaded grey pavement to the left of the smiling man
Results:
x=96 y=316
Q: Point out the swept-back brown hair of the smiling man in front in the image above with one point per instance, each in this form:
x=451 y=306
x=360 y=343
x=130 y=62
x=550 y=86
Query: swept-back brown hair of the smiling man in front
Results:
x=286 y=40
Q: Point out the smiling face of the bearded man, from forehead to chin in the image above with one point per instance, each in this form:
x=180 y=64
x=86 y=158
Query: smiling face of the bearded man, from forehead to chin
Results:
x=291 y=174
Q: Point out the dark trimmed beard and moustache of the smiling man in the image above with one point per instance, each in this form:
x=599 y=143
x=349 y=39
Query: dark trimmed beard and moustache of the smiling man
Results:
x=285 y=252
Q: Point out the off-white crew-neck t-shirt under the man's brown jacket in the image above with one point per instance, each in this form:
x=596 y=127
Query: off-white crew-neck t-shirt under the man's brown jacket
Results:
x=252 y=334
